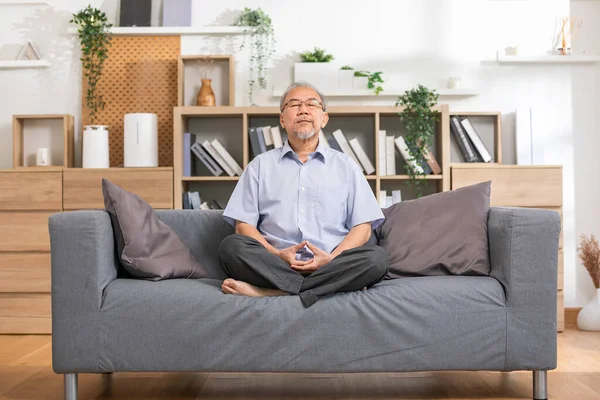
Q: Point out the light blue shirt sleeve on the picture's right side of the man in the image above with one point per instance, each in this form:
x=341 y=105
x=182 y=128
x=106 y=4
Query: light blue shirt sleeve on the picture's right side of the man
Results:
x=362 y=203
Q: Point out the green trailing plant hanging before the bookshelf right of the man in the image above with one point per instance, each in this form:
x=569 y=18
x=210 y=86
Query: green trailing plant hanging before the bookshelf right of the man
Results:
x=420 y=122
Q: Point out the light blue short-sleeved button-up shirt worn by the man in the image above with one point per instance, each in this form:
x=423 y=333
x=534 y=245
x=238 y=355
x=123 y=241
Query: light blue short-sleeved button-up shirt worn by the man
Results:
x=318 y=201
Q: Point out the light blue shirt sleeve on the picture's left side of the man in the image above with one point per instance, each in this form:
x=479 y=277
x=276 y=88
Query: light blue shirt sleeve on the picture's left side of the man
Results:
x=243 y=203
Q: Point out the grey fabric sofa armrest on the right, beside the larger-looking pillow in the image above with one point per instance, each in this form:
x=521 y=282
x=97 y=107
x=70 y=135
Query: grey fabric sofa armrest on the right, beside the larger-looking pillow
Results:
x=524 y=259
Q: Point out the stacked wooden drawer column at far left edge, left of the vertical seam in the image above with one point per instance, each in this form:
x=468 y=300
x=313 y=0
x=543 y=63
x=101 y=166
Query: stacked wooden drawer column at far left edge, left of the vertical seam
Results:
x=27 y=199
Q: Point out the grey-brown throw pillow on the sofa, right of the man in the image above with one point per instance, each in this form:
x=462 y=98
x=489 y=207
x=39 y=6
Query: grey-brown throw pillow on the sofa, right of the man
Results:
x=440 y=234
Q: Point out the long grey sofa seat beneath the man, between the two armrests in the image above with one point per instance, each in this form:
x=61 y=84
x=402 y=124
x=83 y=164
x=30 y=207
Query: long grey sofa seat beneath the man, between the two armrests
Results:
x=410 y=324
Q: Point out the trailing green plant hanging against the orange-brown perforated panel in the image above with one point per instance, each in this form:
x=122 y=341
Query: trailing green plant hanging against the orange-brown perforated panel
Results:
x=94 y=35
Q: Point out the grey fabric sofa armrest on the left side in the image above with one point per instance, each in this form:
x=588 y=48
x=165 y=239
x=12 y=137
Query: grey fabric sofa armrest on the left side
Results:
x=84 y=262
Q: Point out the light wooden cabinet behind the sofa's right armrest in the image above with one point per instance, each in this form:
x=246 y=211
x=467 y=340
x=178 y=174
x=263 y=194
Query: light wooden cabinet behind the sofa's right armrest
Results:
x=521 y=186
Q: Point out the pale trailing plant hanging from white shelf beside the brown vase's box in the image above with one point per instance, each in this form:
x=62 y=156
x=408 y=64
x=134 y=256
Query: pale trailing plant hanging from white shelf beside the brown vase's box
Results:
x=262 y=37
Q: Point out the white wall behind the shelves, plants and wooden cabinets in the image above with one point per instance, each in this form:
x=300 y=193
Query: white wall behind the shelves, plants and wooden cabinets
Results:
x=411 y=41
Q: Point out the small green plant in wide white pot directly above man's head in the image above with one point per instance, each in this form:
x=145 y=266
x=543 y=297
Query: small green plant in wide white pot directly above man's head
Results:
x=316 y=68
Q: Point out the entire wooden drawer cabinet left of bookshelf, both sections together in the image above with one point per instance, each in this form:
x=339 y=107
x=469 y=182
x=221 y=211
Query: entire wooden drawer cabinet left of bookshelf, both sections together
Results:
x=28 y=197
